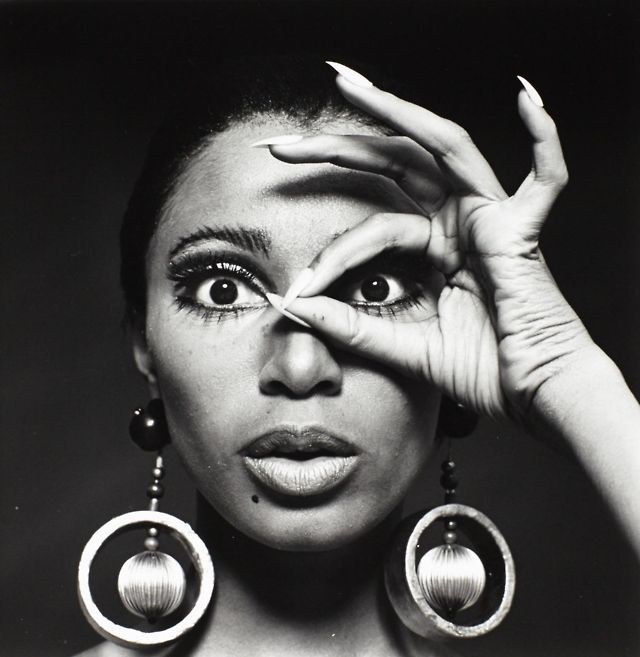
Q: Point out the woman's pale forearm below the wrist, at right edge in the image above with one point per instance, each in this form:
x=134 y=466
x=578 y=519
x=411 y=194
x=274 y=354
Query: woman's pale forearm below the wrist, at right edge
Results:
x=590 y=408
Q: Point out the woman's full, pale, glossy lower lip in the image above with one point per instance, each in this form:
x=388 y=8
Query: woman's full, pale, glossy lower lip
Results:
x=301 y=478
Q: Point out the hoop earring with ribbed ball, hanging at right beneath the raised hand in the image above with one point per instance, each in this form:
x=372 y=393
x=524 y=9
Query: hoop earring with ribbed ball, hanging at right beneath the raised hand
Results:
x=448 y=590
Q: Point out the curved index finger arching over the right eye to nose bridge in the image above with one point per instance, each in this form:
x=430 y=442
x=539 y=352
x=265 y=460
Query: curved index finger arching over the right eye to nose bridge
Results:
x=378 y=233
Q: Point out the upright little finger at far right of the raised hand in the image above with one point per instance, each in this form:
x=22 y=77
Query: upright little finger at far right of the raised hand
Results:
x=549 y=174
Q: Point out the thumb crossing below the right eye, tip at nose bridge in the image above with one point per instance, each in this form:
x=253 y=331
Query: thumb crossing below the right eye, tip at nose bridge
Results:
x=400 y=345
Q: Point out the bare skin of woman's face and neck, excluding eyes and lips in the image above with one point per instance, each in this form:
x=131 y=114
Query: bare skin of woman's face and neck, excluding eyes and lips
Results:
x=305 y=576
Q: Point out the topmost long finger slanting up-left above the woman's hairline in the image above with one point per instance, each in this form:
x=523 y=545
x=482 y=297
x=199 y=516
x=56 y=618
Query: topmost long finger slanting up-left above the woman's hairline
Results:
x=450 y=144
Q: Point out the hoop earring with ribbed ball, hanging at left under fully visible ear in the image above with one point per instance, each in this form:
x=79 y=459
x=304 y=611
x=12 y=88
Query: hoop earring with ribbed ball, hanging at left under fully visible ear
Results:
x=151 y=584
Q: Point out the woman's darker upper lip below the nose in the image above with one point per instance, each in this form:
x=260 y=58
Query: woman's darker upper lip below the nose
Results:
x=288 y=440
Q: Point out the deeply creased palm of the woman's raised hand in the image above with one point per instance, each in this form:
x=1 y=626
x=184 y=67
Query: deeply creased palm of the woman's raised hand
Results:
x=482 y=341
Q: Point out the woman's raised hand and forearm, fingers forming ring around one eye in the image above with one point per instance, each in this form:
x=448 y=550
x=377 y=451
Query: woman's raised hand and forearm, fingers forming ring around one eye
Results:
x=503 y=341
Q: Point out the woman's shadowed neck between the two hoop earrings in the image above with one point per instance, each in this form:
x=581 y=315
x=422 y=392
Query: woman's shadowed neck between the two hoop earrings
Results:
x=298 y=603
